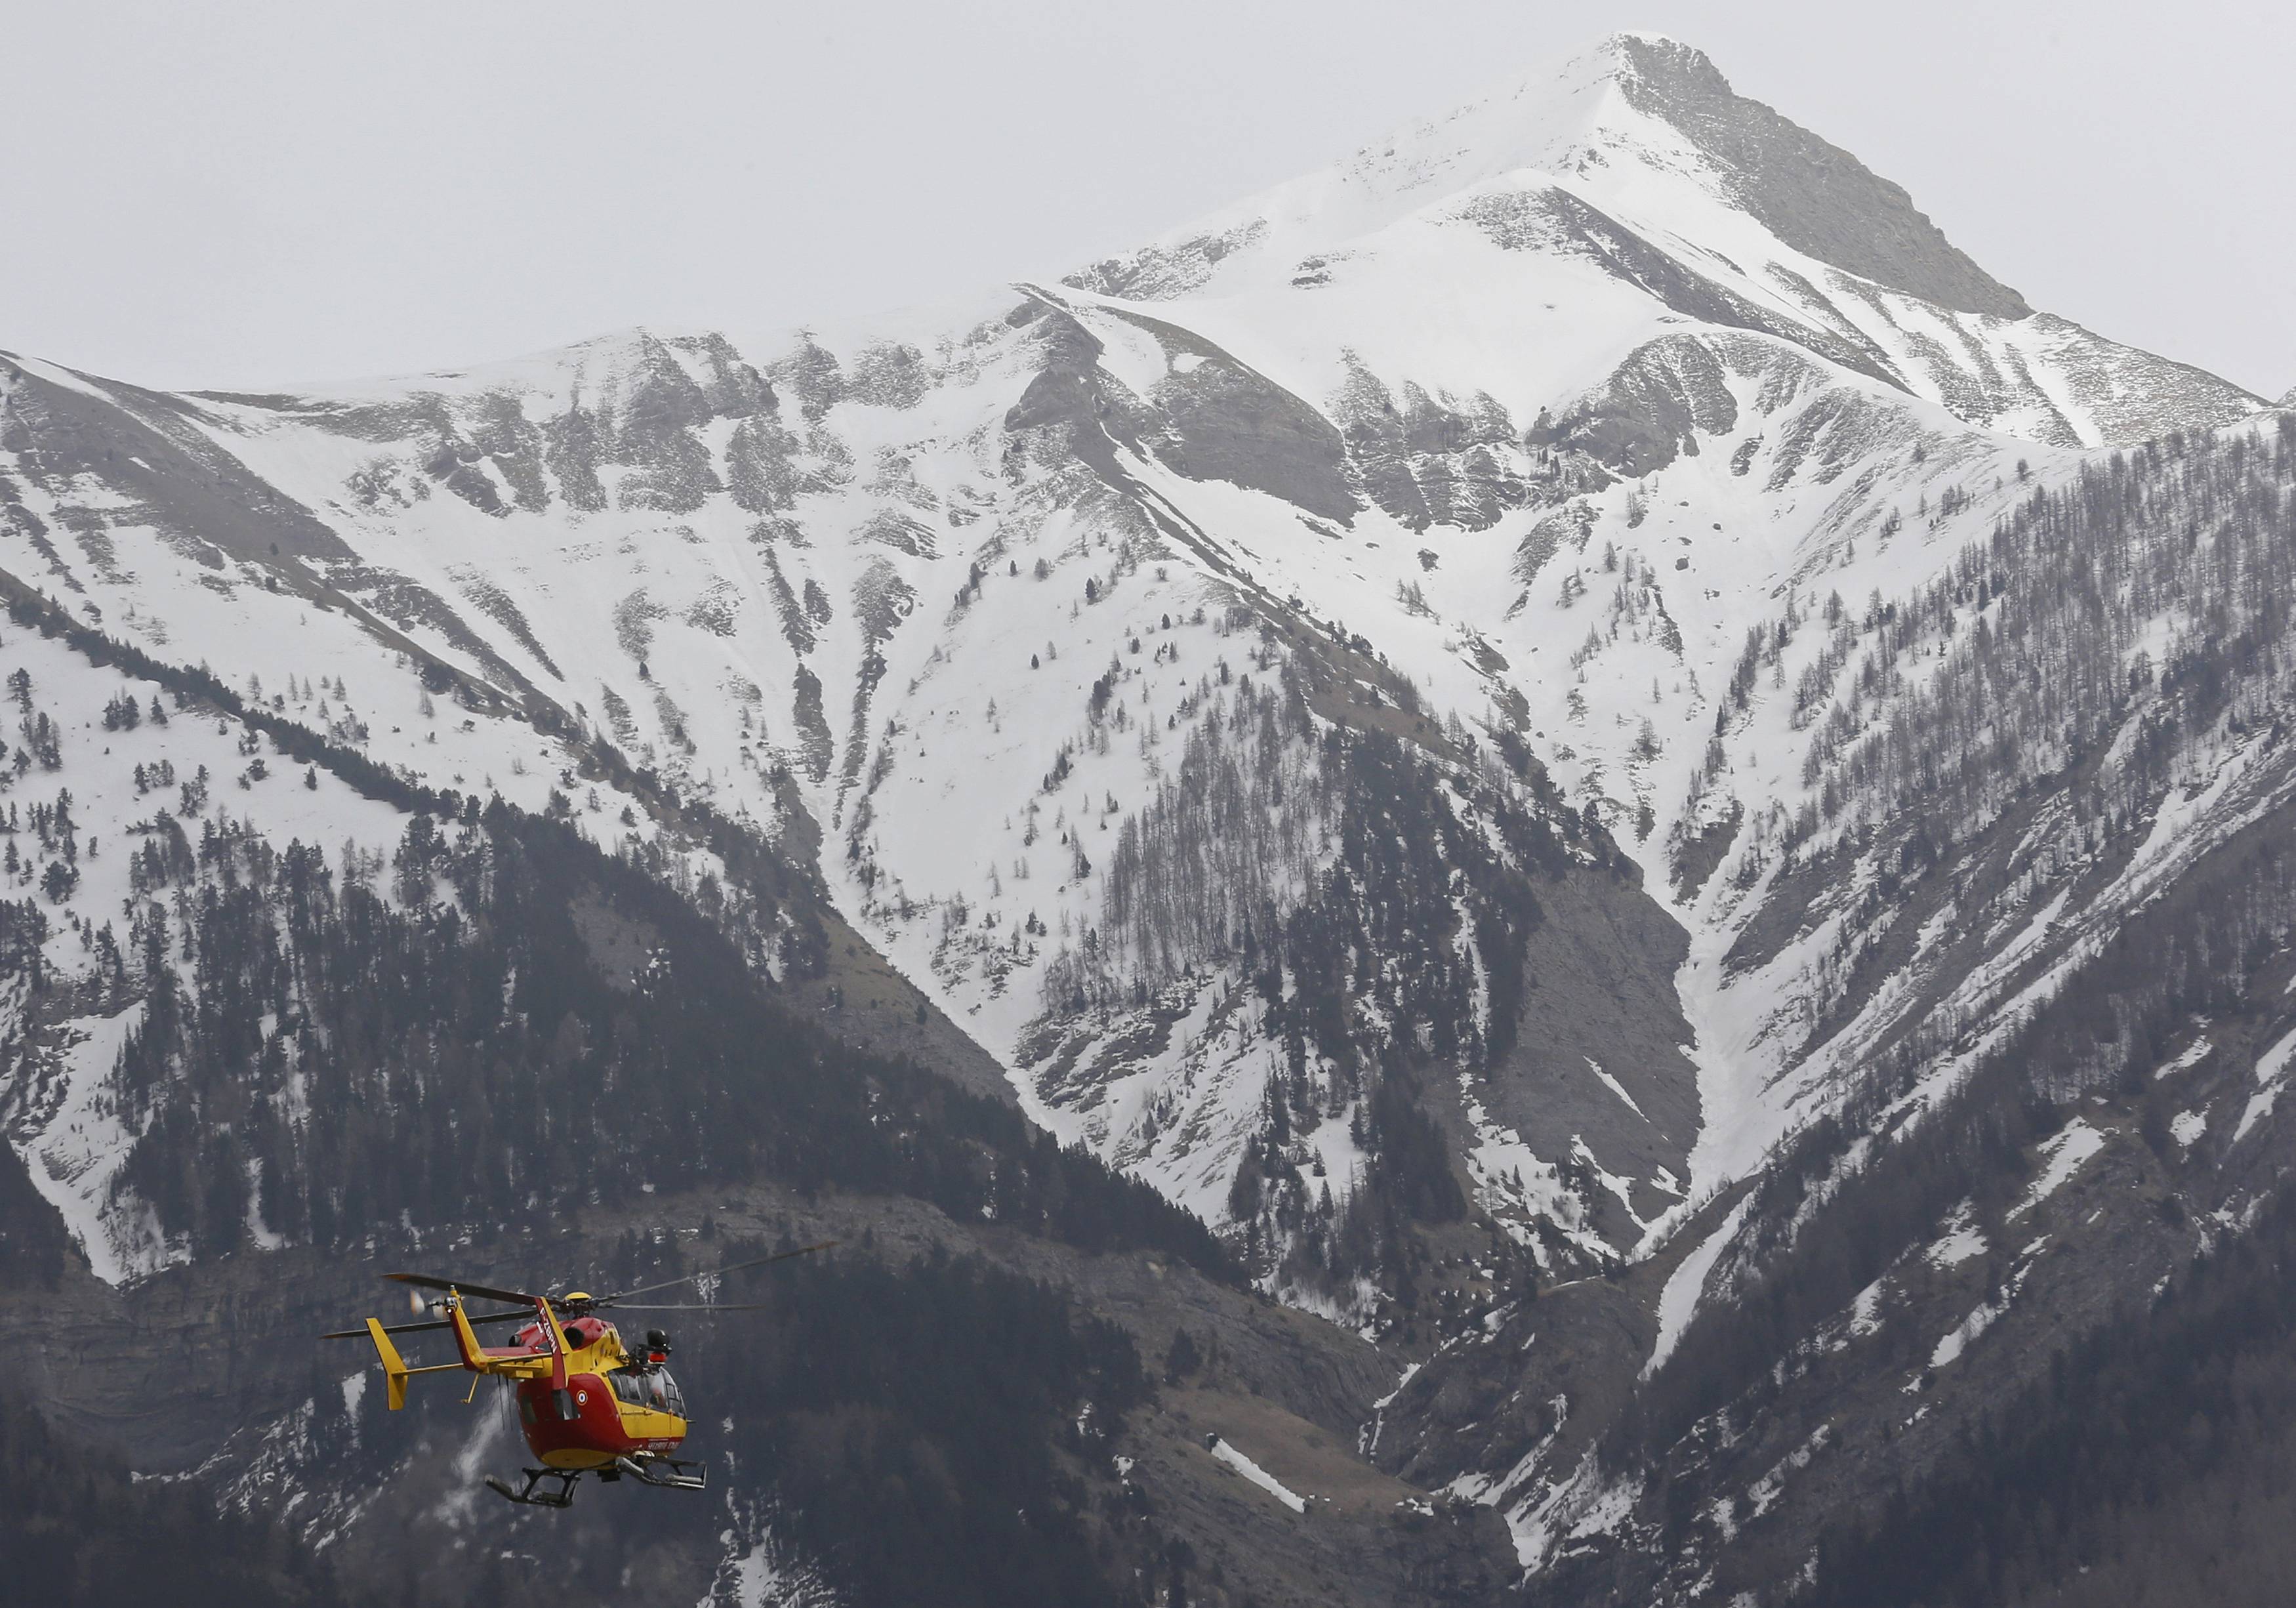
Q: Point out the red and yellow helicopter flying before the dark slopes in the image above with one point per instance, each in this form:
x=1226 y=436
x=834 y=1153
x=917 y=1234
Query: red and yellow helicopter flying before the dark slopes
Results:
x=587 y=1400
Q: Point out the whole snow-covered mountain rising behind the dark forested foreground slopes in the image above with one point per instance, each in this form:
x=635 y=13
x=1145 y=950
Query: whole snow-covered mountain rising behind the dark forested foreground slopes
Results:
x=1500 y=640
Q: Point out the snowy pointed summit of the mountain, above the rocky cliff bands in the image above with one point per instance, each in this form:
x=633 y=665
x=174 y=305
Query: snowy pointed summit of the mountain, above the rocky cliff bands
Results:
x=1526 y=242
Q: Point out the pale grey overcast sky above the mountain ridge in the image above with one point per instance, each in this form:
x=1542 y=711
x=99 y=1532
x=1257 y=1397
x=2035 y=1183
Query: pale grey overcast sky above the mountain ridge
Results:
x=258 y=194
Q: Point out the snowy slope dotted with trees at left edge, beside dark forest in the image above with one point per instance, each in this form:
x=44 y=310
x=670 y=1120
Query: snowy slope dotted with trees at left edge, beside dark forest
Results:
x=109 y=794
